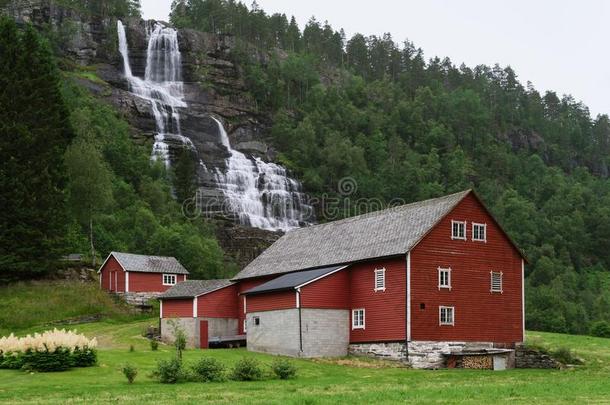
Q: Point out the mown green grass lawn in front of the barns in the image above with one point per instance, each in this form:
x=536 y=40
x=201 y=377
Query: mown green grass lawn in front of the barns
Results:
x=318 y=382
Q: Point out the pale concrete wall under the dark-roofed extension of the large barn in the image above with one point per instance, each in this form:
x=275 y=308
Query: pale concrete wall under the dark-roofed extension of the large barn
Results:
x=325 y=332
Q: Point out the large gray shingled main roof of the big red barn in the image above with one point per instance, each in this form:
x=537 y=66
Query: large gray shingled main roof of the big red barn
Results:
x=388 y=232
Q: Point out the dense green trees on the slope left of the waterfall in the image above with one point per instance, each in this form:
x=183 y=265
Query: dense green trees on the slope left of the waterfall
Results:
x=72 y=179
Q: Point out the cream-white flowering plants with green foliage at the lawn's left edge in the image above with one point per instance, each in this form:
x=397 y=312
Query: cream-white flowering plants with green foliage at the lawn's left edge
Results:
x=53 y=350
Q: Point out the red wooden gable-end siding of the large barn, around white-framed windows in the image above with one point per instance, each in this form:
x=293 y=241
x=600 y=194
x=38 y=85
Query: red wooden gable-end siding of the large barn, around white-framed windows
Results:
x=479 y=314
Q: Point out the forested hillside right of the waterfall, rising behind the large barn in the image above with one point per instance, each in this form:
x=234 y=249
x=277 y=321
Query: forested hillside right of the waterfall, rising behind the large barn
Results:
x=406 y=127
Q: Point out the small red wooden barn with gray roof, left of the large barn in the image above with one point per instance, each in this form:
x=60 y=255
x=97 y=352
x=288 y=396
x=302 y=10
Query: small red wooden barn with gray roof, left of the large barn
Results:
x=130 y=273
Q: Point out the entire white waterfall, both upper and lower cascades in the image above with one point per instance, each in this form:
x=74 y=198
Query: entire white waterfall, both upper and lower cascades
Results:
x=261 y=194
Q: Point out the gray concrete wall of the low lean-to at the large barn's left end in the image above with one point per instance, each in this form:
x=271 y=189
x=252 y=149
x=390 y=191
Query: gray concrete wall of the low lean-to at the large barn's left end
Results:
x=190 y=326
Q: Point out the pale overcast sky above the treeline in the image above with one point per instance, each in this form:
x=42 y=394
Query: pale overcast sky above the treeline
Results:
x=559 y=45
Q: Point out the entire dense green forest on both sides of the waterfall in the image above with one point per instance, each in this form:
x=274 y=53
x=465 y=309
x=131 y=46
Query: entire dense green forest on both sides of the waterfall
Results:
x=365 y=107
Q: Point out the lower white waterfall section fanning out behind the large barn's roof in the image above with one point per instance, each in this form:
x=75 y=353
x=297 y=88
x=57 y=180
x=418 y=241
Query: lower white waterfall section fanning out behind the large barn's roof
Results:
x=260 y=193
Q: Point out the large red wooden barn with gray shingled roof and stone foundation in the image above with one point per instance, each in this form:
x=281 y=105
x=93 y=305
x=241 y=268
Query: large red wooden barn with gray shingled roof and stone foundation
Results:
x=415 y=282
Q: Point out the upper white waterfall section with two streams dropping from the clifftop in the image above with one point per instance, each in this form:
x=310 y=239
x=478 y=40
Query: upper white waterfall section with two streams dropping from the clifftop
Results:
x=162 y=85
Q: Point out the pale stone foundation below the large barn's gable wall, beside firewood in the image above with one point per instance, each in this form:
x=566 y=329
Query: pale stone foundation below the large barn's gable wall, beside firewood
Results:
x=430 y=354
